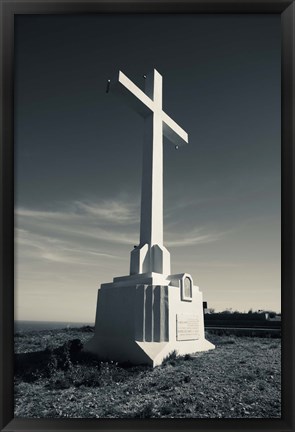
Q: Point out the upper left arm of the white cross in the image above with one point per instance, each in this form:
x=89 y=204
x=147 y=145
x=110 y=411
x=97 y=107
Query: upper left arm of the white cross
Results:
x=134 y=97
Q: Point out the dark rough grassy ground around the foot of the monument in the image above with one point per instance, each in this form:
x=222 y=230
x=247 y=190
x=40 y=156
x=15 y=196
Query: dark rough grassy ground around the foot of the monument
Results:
x=241 y=378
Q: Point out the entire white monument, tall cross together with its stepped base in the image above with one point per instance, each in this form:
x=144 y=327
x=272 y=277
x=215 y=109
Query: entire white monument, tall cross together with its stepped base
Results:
x=143 y=317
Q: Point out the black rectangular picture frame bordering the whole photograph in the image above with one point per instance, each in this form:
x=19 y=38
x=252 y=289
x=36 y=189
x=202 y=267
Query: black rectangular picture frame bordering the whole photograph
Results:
x=8 y=11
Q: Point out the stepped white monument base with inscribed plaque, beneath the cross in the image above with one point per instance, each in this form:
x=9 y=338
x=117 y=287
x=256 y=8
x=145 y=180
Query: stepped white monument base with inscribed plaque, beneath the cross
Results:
x=141 y=319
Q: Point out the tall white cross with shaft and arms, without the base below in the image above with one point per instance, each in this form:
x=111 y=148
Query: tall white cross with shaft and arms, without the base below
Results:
x=157 y=124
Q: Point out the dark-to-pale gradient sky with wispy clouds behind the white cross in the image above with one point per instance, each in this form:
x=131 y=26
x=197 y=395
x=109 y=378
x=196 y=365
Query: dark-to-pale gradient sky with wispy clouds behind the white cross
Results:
x=78 y=156
